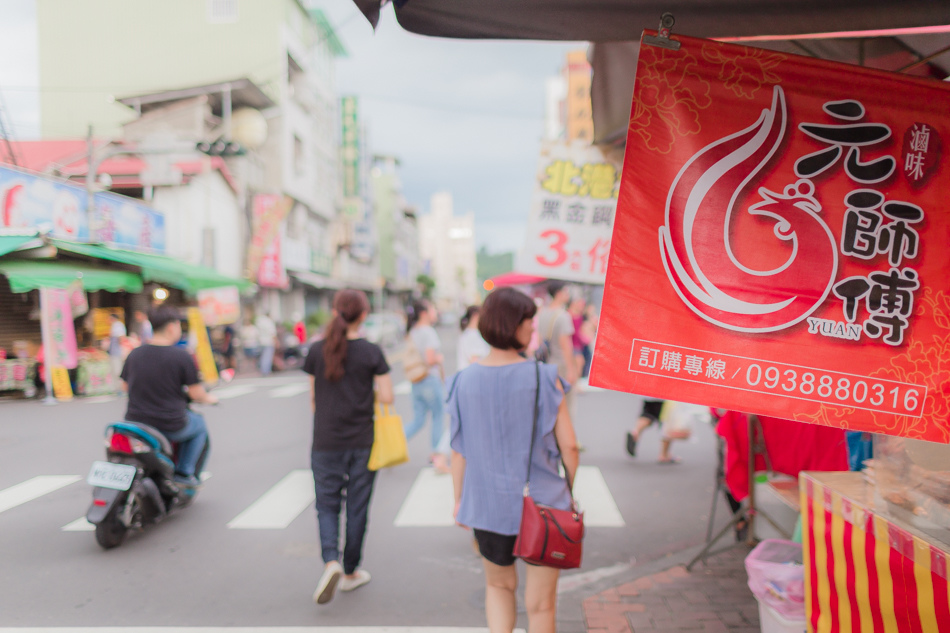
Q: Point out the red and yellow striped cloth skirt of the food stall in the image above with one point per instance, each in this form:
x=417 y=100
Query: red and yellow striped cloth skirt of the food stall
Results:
x=864 y=573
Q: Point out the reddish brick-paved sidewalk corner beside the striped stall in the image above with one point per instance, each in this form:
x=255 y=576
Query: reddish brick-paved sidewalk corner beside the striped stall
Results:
x=665 y=598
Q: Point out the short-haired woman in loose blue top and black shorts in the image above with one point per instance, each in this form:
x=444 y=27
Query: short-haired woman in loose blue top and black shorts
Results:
x=492 y=409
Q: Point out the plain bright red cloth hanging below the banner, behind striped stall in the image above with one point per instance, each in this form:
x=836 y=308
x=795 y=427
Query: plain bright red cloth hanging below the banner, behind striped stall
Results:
x=792 y=447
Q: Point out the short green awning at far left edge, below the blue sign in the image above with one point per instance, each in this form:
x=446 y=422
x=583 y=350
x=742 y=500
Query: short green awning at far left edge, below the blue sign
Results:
x=28 y=274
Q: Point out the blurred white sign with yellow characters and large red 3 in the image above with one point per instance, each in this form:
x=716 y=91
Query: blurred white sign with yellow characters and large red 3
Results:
x=572 y=212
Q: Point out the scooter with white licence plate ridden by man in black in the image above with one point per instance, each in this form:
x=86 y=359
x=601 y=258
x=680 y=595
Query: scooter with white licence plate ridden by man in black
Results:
x=136 y=486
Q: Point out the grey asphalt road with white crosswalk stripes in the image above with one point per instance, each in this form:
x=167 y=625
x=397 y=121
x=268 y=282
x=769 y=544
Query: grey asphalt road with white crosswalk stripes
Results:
x=195 y=570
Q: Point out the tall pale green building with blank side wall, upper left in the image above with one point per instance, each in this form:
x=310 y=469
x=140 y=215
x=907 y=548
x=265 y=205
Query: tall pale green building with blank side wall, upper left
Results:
x=282 y=48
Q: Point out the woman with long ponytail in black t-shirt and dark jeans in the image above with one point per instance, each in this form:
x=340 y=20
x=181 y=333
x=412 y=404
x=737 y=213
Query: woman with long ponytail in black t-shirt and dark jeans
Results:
x=344 y=370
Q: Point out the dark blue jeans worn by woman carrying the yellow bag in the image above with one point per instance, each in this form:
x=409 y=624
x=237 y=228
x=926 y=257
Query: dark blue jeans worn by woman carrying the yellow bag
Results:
x=334 y=471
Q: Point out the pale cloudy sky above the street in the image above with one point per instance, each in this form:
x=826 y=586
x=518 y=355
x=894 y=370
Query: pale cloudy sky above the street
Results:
x=462 y=116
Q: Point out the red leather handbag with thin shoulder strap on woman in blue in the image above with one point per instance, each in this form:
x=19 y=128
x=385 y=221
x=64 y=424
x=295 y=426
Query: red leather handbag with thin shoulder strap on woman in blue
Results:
x=547 y=536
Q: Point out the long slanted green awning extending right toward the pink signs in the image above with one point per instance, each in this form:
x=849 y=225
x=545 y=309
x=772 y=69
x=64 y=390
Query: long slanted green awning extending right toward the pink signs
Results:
x=158 y=268
